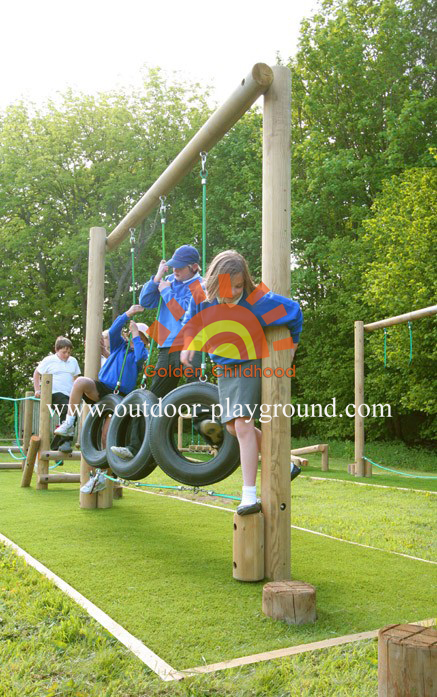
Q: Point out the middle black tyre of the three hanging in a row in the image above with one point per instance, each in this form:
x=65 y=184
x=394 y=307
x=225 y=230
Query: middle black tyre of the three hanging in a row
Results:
x=120 y=430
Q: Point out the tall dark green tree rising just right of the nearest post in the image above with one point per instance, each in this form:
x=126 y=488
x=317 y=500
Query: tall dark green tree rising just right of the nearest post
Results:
x=361 y=111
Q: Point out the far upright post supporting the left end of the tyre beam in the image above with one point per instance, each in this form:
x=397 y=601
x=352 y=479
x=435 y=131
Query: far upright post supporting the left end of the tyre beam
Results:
x=94 y=324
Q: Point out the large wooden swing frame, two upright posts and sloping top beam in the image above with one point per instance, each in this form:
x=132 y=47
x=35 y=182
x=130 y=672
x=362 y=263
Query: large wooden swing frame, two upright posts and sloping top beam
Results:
x=274 y=84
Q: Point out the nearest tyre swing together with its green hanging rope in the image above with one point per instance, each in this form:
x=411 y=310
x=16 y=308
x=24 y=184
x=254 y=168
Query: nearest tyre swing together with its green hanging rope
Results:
x=195 y=468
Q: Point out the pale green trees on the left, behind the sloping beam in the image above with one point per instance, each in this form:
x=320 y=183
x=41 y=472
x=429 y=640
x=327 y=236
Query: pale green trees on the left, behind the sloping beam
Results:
x=64 y=168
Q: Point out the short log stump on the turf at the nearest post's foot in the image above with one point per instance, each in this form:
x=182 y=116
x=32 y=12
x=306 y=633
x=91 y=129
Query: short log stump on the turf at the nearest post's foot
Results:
x=293 y=602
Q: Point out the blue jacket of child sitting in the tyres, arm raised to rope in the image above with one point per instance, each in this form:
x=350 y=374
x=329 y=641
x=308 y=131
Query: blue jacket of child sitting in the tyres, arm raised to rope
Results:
x=110 y=371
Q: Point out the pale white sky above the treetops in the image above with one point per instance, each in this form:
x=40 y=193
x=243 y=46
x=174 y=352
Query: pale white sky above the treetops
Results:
x=99 y=45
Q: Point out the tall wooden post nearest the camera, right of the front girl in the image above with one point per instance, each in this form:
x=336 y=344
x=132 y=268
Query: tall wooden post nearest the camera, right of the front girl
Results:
x=275 y=454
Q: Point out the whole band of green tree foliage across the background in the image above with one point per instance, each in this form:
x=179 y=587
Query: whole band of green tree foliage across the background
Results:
x=362 y=179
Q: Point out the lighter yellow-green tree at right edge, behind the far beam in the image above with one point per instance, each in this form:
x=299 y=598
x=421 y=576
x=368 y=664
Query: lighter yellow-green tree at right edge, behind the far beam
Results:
x=401 y=278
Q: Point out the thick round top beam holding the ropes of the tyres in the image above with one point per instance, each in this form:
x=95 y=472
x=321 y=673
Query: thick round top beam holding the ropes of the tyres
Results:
x=253 y=86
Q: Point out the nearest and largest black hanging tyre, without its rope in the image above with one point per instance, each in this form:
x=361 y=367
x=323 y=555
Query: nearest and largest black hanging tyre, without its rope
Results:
x=171 y=447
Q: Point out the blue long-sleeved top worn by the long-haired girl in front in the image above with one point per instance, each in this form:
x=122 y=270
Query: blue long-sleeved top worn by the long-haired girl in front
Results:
x=239 y=328
